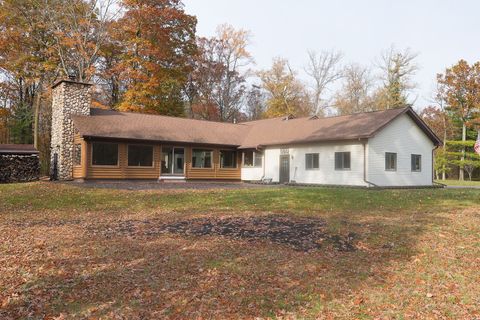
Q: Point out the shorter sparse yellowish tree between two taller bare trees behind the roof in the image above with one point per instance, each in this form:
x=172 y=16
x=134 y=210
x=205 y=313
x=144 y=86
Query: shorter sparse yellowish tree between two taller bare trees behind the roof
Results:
x=354 y=95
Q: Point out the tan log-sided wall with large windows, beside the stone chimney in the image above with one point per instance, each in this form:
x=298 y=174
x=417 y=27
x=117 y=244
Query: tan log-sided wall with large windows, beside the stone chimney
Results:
x=122 y=171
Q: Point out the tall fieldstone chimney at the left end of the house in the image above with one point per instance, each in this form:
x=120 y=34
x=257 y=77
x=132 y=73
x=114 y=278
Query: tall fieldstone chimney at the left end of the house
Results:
x=68 y=98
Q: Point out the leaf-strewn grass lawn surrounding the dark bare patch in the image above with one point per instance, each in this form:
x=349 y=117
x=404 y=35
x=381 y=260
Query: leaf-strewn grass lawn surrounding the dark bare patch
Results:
x=76 y=253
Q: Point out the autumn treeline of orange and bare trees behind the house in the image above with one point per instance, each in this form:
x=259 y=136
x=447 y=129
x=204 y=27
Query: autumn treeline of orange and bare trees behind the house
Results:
x=145 y=56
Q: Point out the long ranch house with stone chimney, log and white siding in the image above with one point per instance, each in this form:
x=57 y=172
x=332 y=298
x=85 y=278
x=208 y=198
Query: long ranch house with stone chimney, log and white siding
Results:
x=384 y=148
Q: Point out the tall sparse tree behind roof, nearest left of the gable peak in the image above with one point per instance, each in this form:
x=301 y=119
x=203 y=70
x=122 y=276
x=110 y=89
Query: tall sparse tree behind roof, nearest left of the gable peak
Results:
x=397 y=69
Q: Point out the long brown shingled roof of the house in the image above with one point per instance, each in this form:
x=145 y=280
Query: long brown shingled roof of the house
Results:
x=253 y=134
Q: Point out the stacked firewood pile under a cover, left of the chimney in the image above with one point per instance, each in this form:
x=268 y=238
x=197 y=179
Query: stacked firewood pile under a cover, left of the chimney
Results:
x=19 y=168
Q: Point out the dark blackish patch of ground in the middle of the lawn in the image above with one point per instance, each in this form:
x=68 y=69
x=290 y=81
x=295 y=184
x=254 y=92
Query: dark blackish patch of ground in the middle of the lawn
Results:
x=303 y=234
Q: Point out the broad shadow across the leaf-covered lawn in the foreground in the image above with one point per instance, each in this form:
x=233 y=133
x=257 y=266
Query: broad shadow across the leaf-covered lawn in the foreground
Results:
x=167 y=275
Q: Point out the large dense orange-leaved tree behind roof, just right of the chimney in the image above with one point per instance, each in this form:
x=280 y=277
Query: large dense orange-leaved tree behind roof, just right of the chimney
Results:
x=158 y=38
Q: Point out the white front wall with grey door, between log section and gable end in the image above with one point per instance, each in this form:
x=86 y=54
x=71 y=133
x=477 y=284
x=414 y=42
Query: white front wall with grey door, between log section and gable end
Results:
x=326 y=174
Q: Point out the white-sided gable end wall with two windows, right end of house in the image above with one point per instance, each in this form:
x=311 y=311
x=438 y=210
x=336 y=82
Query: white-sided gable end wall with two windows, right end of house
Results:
x=403 y=137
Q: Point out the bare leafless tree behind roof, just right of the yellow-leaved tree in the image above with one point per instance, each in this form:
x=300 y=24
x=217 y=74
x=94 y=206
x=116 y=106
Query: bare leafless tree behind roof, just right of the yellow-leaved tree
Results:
x=324 y=69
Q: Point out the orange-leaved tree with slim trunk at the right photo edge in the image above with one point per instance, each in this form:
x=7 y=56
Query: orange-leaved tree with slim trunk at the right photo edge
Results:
x=462 y=94
